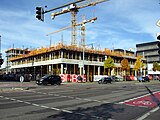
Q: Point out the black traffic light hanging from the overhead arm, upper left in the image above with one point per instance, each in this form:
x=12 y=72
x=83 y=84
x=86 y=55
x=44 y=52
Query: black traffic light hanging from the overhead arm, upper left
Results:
x=40 y=13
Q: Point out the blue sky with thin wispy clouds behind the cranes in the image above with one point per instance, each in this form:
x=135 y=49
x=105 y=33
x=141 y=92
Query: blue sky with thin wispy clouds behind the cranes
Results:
x=120 y=23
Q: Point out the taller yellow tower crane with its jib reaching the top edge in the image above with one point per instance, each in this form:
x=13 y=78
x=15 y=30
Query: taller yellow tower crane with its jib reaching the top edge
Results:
x=73 y=8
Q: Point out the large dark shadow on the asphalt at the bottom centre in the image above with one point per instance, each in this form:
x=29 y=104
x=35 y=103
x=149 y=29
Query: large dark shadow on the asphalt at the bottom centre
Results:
x=102 y=112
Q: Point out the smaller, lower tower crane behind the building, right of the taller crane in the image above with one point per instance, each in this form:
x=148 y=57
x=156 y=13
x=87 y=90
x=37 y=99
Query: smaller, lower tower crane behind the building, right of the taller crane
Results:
x=82 y=24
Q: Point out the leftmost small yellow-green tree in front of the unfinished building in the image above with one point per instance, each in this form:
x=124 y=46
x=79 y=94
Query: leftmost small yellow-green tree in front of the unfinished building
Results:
x=109 y=63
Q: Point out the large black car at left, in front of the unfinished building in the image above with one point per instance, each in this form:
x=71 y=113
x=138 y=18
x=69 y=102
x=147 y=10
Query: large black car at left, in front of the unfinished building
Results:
x=49 y=79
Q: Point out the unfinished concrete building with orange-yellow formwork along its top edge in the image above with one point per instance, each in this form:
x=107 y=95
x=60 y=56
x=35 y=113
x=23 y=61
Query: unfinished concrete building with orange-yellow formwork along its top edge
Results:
x=68 y=59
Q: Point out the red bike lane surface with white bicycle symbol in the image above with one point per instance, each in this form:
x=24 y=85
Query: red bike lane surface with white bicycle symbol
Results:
x=148 y=100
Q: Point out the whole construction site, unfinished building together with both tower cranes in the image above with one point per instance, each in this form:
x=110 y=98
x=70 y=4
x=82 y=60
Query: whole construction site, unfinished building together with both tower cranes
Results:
x=71 y=60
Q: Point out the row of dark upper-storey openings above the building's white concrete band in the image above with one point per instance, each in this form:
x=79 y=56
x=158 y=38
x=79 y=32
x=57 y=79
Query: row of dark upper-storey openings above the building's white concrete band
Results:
x=68 y=55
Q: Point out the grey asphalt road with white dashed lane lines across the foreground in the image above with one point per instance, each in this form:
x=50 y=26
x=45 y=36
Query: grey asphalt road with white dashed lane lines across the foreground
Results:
x=77 y=101
